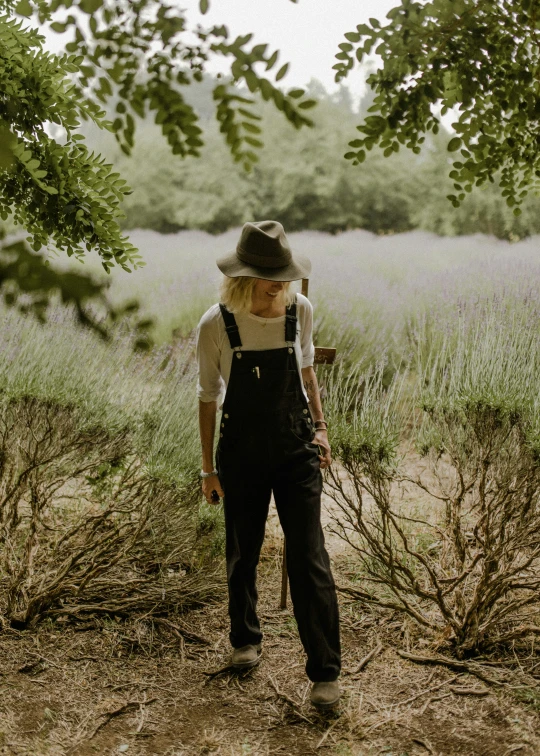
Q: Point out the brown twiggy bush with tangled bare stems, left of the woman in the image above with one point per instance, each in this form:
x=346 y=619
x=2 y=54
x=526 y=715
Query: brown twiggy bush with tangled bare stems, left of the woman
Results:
x=83 y=528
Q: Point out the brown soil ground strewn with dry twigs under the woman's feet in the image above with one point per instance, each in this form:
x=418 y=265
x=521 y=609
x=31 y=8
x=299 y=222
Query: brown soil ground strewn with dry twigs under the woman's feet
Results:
x=111 y=687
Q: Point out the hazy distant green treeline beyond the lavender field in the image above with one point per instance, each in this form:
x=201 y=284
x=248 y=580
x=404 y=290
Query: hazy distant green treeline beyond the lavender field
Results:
x=303 y=180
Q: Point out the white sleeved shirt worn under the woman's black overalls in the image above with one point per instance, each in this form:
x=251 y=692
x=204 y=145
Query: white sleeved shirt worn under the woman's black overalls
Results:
x=214 y=353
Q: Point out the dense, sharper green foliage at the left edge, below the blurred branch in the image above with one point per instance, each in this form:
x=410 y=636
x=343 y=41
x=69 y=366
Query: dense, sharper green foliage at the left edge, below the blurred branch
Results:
x=55 y=191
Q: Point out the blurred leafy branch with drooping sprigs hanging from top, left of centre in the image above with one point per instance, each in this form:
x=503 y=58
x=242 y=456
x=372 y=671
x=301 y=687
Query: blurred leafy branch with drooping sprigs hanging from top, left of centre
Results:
x=139 y=56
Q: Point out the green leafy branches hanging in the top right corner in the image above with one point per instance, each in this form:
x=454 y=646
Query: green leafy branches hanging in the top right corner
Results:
x=477 y=57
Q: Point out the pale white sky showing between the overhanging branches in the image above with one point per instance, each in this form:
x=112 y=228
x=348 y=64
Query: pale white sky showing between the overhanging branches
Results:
x=307 y=33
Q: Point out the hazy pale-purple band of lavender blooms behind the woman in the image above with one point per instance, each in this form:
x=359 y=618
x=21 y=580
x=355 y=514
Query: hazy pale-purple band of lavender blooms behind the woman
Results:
x=366 y=289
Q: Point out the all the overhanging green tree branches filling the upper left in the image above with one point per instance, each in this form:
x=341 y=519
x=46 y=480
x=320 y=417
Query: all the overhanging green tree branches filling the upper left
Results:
x=136 y=57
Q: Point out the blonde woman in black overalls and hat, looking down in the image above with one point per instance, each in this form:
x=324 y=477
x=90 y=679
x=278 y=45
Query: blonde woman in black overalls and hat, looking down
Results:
x=257 y=343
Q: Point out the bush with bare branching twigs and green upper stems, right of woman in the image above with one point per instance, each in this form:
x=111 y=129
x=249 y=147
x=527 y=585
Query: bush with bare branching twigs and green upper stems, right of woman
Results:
x=466 y=562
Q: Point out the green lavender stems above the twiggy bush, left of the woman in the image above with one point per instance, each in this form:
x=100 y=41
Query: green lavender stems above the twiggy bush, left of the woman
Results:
x=109 y=386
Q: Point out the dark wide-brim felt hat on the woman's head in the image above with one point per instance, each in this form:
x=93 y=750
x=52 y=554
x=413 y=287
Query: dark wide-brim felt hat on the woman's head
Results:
x=263 y=251
